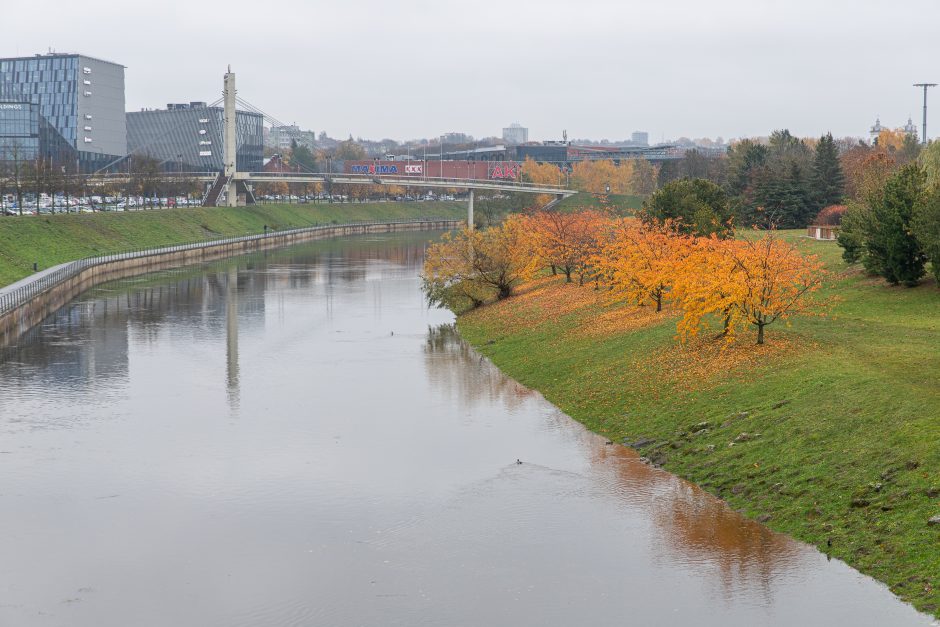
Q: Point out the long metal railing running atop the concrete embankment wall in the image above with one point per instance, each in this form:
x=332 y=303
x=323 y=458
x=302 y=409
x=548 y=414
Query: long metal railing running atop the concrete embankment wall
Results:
x=22 y=292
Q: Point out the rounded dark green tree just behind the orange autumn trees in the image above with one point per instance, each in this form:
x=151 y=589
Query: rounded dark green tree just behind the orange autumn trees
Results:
x=695 y=206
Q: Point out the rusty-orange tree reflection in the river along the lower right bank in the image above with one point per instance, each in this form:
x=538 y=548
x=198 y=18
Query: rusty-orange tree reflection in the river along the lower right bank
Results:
x=700 y=527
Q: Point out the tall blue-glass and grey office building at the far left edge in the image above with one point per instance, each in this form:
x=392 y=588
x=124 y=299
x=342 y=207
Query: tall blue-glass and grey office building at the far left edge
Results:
x=67 y=108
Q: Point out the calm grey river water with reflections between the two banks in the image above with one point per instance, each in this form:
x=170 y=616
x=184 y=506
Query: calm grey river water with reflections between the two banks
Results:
x=294 y=438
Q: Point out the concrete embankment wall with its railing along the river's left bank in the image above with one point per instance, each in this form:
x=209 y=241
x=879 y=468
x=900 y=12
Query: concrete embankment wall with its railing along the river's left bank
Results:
x=59 y=286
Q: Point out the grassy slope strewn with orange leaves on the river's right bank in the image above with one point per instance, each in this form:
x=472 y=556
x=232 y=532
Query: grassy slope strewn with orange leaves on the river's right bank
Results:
x=830 y=433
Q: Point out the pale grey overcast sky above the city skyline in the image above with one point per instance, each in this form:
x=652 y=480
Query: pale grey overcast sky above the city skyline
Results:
x=598 y=68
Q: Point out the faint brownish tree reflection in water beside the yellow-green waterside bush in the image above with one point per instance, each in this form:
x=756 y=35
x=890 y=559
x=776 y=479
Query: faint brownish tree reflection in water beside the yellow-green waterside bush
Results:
x=454 y=366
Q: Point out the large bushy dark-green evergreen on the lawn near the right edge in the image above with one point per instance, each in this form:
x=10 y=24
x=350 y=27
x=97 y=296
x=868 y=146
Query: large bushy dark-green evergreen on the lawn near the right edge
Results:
x=892 y=249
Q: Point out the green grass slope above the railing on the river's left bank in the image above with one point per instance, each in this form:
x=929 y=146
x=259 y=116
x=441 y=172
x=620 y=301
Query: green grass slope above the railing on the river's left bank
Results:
x=54 y=239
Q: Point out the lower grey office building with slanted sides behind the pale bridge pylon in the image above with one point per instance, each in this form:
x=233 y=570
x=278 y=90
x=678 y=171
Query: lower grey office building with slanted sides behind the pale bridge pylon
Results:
x=188 y=137
